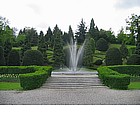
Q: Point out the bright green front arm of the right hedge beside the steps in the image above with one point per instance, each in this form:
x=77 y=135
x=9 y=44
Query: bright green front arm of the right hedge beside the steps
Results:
x=113 y=79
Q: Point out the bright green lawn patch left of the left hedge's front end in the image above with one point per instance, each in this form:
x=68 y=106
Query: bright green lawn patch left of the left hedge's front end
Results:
x=10 y=86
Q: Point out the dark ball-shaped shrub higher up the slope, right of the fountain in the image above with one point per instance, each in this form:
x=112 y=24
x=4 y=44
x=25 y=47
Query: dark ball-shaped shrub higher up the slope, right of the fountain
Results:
x=102 y=45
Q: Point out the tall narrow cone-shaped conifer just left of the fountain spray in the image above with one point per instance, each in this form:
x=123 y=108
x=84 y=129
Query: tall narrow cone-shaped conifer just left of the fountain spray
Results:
x=58 y=55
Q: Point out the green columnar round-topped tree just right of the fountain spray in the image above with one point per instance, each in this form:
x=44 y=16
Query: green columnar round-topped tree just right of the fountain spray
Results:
x=88 y=52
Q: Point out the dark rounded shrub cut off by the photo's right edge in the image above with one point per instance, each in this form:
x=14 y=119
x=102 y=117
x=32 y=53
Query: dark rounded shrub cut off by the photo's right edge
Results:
x=134 y=60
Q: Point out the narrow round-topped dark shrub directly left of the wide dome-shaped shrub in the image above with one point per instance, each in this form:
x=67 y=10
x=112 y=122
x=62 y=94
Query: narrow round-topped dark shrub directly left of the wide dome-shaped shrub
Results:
x=14 y=58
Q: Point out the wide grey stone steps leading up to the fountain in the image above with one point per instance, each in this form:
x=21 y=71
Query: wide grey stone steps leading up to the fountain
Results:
x=68 y=80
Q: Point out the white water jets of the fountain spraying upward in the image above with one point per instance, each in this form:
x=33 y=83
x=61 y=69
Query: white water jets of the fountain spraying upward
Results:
x=75 y=55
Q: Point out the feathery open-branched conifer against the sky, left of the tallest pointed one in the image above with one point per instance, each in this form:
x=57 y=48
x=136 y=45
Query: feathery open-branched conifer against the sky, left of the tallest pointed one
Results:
x=81 y=32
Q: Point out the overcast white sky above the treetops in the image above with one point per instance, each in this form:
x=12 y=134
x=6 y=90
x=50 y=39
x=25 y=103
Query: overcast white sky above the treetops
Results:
x=41 y=14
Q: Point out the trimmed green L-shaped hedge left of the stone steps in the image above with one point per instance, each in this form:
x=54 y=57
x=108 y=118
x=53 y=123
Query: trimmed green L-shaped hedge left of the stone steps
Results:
x=31 y=77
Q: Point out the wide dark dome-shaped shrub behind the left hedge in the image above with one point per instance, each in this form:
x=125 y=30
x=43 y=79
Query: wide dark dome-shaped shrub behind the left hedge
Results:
x=33 y=57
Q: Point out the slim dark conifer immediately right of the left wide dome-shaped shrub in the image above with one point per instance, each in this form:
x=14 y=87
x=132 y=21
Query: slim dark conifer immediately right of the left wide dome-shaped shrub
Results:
x=42 y=46
